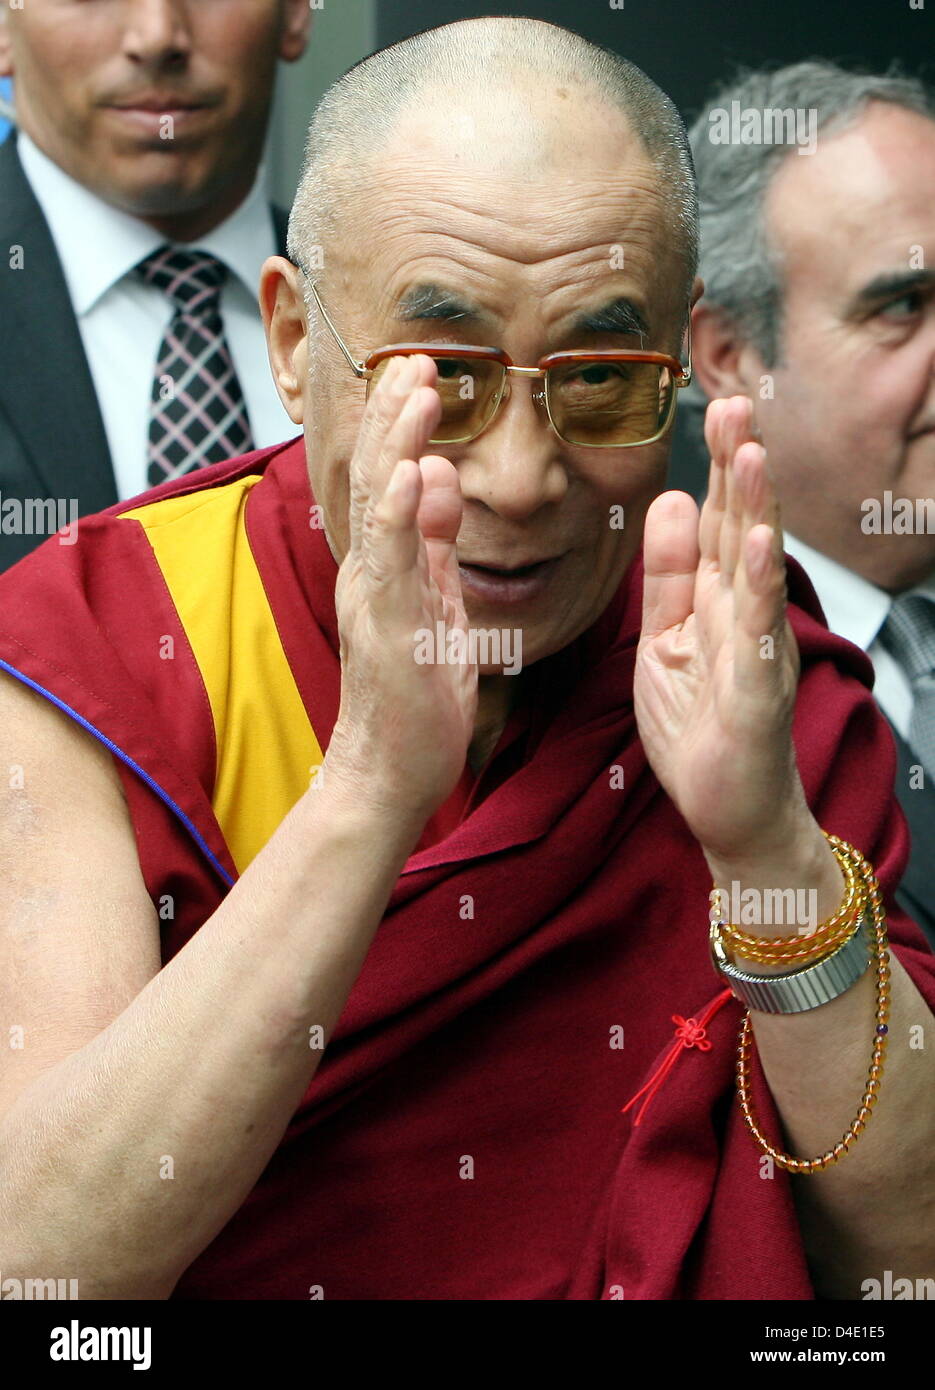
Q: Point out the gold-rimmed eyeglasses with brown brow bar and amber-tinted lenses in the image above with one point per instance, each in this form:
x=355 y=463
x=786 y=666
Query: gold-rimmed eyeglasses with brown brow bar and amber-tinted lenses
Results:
x=601 y=400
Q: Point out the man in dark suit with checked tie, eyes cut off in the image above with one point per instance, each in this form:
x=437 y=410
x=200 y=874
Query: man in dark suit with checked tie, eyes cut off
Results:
x=134 y=224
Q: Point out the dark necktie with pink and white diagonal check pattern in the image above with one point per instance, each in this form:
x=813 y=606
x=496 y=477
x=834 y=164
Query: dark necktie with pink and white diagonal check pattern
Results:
x=198 y=414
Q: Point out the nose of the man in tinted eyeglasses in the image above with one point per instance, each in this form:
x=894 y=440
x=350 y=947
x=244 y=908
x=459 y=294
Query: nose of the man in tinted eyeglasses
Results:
x=518 y=465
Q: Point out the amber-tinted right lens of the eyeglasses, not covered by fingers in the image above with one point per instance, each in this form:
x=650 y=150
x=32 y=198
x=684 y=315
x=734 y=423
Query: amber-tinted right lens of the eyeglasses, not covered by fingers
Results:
x=611 y=402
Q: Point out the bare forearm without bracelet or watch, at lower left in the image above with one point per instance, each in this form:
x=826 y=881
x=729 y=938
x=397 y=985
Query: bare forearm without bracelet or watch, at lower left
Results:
x=201 y=1075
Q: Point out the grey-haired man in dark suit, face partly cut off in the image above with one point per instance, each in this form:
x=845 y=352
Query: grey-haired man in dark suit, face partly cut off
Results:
x=820 y=306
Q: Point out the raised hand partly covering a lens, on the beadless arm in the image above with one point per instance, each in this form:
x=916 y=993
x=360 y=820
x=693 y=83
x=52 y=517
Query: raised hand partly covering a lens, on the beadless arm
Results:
x=404 y=729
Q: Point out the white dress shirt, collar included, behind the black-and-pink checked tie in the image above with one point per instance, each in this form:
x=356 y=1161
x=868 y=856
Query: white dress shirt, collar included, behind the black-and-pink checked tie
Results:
x=123 y=320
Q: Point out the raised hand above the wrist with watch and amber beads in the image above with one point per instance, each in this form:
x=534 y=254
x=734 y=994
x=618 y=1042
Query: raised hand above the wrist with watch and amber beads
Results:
x=718 y=664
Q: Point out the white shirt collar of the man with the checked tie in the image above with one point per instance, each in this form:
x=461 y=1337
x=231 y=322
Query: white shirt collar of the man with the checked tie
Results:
x=112 y=243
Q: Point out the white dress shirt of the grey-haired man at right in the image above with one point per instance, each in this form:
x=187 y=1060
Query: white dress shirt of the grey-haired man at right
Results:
x=858 y=610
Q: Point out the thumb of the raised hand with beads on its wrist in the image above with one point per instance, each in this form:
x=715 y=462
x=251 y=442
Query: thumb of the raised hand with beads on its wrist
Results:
x=670 y=562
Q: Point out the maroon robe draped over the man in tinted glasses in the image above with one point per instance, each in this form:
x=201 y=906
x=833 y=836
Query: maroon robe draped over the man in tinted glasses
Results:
x=463 y=1138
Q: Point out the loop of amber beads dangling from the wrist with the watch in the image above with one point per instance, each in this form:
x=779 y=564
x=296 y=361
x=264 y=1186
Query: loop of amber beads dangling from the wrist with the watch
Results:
x=869 y=1100
